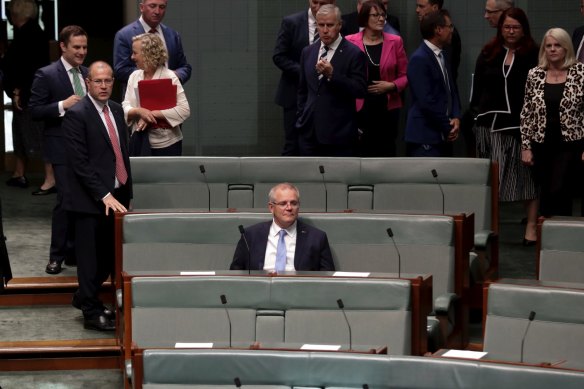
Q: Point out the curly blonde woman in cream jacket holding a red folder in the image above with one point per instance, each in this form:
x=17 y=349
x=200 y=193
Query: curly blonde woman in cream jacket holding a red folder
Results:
x=150 y=56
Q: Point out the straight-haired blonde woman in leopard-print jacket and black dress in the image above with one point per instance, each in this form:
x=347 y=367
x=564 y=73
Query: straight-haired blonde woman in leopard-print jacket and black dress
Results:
x=552 y=122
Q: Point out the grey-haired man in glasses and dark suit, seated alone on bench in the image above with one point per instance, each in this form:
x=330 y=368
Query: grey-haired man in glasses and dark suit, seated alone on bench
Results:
x=285 y=243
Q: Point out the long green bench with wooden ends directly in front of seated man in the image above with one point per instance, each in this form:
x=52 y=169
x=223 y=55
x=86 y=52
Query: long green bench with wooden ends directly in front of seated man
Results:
x=289 y=310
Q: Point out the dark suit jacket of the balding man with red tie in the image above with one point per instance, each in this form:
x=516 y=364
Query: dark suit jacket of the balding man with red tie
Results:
x=91 y=162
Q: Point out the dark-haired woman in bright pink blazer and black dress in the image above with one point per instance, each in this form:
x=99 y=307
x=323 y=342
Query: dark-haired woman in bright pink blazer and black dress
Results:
x=378 y=113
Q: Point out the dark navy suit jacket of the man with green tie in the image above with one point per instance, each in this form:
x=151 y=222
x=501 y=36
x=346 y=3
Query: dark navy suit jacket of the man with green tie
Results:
x=51 y=84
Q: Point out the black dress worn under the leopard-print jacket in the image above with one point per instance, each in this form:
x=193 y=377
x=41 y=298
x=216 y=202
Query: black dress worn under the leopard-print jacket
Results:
x=556 y=161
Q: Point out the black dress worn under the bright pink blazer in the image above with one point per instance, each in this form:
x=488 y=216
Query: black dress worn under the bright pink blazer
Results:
x=377 y=125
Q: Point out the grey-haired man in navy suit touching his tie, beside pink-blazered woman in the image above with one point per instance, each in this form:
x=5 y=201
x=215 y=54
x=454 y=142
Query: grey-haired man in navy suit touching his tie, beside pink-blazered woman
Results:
x=332 y=76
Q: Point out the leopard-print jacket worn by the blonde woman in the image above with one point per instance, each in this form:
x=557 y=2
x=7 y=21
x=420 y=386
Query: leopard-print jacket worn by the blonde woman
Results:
x=533 y=114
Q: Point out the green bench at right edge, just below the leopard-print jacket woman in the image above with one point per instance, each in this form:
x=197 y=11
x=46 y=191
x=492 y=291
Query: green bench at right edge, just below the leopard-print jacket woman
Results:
x=561 y=249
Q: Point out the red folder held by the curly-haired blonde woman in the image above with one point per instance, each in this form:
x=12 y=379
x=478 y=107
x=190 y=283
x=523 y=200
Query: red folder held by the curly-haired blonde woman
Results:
x=157 y=95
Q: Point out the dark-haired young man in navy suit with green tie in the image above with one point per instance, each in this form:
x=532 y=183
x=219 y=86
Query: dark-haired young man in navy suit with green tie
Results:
x=55 y=89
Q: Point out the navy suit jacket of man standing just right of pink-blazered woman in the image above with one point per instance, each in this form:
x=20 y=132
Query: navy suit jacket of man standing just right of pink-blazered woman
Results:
x=427 y=120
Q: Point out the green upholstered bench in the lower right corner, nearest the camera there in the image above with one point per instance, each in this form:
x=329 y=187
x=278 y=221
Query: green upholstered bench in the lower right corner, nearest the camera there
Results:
x=557 y=332
